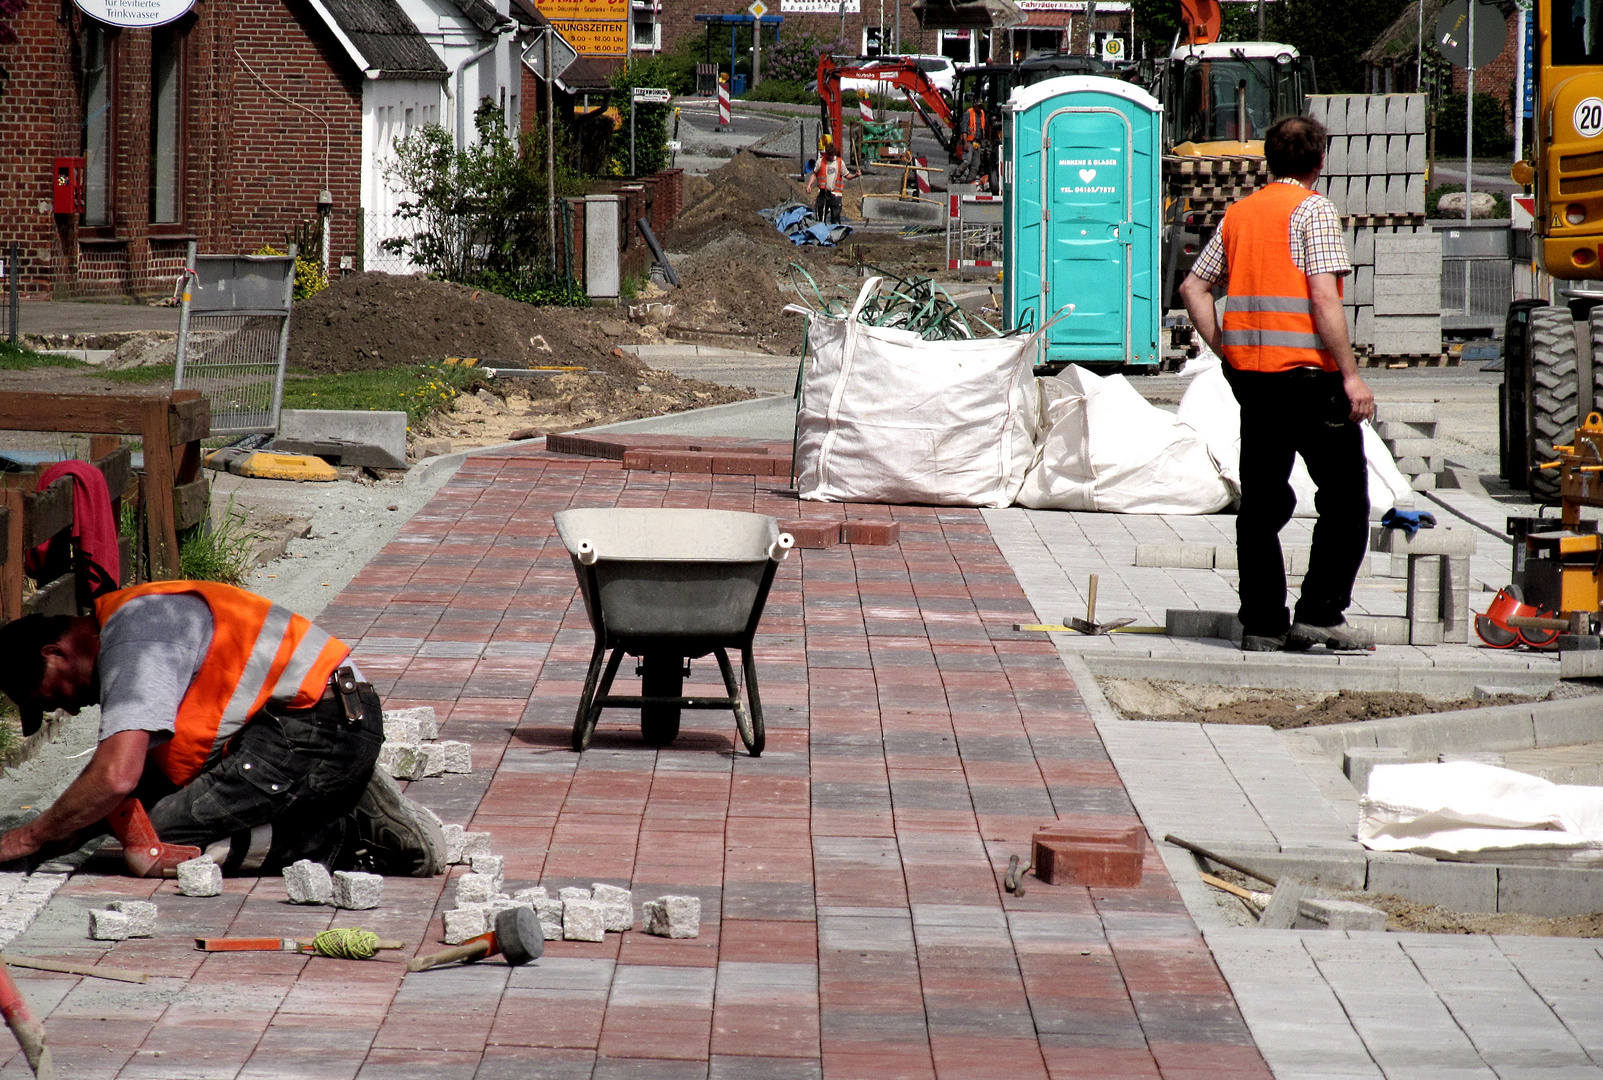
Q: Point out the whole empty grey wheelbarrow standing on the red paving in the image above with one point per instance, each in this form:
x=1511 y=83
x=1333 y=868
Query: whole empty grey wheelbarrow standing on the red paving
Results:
x=669 y=587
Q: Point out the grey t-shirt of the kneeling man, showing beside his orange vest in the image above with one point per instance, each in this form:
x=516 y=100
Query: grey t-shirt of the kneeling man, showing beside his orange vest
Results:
x=151 y=650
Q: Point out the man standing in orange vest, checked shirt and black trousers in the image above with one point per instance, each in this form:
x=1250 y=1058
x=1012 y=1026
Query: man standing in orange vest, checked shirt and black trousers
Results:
x=1291 y=366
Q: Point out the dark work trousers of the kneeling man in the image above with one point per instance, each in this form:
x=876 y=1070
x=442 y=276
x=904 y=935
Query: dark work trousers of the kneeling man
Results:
x=283 y=792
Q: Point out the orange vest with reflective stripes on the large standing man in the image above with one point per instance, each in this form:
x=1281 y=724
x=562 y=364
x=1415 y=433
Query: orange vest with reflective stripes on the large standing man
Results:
x=1269 y=313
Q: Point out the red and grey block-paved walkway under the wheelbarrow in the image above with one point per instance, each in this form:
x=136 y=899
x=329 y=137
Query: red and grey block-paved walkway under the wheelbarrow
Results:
x=854 y=917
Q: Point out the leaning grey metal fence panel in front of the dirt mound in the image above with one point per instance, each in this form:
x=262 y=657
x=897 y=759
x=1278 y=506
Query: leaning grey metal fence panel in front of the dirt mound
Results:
x=233 y=337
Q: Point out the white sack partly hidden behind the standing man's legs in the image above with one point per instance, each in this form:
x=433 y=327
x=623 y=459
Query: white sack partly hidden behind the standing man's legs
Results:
x=1211 y=408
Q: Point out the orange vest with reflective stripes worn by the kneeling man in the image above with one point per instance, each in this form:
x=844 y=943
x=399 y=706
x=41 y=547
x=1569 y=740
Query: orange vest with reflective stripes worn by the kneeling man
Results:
x=260 y=653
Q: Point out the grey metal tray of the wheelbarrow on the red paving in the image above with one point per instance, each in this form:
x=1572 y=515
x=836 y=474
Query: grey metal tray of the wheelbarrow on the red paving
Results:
x=671 y=573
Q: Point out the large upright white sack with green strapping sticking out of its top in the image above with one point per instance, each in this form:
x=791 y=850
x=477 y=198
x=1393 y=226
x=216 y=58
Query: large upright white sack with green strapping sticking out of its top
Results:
x=887 y=417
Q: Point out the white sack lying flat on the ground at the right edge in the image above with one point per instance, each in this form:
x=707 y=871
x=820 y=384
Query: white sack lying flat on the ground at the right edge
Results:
x=1471 y=812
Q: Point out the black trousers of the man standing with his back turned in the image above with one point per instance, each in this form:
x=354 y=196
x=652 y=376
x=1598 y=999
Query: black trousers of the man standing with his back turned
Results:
x=1285 y=414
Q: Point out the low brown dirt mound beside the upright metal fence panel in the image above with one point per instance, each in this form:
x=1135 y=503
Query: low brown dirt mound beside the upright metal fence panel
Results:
x=369 y=321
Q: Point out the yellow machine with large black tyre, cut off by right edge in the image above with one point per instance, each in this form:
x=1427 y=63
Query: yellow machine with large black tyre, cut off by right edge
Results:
x=1554 y=352
